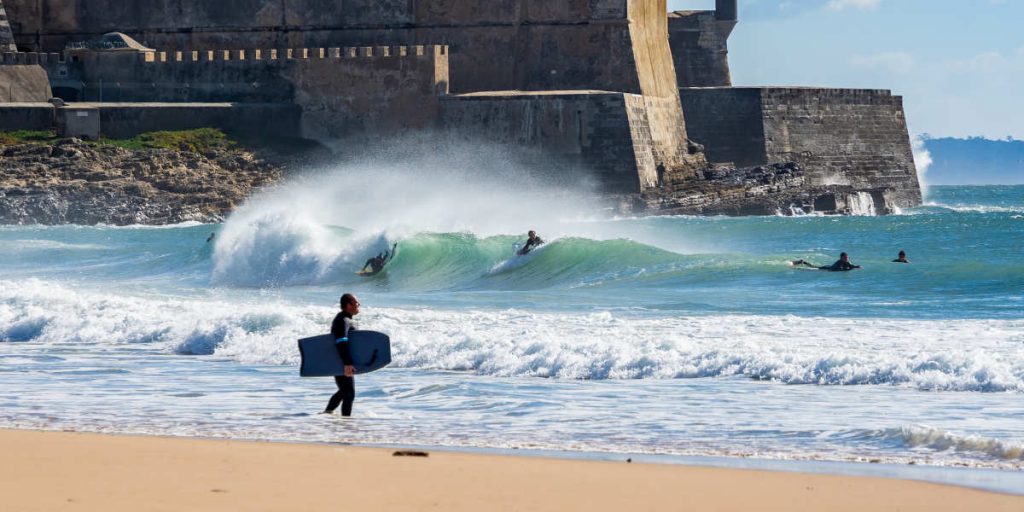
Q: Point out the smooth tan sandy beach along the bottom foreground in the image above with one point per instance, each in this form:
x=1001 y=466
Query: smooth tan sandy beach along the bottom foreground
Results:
x=75 y=472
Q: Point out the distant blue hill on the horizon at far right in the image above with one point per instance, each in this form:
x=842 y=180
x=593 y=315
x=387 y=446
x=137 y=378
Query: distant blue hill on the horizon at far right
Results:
x=975 y=161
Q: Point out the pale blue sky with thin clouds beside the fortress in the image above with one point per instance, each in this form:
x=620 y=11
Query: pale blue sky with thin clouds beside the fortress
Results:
x=958 y=64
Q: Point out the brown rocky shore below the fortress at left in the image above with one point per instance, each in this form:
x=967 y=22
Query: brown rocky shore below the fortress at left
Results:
x=76 y=183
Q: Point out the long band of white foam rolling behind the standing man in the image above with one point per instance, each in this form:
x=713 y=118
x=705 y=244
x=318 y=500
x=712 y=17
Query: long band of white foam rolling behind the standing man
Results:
x=954 y=356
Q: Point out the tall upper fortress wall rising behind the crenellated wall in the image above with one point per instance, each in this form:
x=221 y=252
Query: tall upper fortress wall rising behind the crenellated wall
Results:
x=496 y=45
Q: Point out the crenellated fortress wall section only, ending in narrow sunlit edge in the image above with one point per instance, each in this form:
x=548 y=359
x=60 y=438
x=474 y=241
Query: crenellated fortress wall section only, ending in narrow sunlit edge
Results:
x=344 y=92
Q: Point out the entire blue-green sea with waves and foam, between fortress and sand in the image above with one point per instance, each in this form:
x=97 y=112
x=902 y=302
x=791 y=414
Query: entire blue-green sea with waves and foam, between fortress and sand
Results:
x=665 y=335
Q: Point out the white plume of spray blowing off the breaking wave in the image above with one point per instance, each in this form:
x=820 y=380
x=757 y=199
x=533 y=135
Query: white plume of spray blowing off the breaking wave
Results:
x=282 y=236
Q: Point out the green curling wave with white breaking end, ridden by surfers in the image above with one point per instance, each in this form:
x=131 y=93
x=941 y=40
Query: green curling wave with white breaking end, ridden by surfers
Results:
x=282 y=254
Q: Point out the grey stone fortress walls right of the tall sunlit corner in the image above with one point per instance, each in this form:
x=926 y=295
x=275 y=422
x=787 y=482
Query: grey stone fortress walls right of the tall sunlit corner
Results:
x=856 y=140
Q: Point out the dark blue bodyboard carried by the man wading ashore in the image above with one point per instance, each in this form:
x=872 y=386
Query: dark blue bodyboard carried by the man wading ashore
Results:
x=371 y=352
